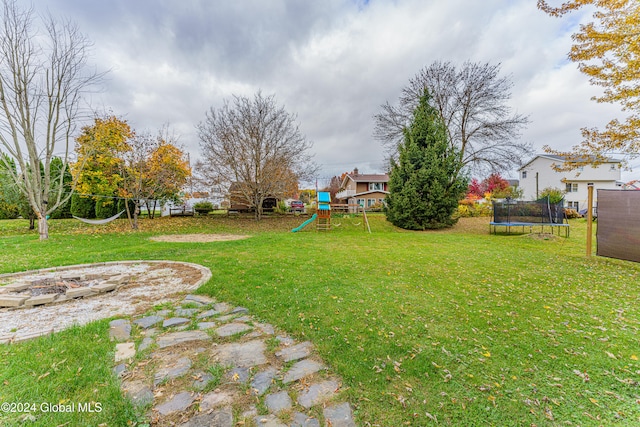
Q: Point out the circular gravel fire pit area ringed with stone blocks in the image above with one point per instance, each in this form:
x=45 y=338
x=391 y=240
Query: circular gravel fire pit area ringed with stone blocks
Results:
x=39 y=302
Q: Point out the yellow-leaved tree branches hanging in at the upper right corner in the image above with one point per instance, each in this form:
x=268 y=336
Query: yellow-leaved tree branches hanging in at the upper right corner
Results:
x=608 y=51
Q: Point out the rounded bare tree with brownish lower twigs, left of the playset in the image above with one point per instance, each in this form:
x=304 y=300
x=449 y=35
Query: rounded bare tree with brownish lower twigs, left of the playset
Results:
x=255 y=145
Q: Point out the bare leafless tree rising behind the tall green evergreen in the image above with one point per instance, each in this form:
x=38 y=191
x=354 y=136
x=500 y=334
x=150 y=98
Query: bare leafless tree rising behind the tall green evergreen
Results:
x=472 y=101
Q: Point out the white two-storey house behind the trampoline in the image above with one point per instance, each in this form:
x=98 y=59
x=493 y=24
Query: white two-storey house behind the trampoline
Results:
x=539 y=173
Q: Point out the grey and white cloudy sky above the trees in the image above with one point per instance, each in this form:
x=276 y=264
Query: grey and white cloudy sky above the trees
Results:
x=331 y=62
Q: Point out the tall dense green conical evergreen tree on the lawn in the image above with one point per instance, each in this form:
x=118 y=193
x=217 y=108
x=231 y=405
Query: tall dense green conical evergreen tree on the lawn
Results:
x=425 y=184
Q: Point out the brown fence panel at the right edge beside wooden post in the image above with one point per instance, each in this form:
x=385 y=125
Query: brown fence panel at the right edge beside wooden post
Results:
x=618 y=234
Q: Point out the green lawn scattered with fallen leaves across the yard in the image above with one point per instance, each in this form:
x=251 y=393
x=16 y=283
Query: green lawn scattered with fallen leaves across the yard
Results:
x=455 y=327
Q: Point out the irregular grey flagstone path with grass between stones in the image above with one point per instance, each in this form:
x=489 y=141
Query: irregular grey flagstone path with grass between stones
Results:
x=206 y=363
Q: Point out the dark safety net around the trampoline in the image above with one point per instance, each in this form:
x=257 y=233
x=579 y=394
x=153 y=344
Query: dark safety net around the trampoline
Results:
x=531 y=212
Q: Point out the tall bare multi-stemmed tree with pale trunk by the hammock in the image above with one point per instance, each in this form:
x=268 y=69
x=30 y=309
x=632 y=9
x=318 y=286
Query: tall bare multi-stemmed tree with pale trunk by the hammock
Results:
x=42 y=79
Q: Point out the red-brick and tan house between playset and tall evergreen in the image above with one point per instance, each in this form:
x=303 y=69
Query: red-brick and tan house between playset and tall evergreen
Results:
x=365 y=190
